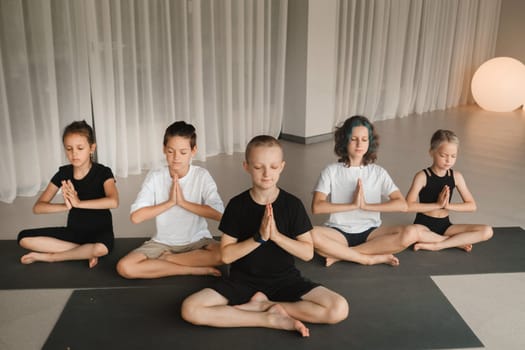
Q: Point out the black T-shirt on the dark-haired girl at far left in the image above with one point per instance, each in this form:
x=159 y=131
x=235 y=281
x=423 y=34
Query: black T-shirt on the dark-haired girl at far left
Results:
x=89 y=187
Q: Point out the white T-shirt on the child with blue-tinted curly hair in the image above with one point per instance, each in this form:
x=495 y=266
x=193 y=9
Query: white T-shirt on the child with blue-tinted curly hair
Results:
x=339 y=182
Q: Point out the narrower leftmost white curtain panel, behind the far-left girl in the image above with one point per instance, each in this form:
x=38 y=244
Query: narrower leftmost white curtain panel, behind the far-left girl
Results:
x=43 y=86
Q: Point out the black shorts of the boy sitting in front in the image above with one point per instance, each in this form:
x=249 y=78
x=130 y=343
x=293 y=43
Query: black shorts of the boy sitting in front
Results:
x=289 y=289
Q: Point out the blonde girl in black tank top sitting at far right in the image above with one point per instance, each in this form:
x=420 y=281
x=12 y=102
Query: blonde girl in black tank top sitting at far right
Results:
x=430 y=196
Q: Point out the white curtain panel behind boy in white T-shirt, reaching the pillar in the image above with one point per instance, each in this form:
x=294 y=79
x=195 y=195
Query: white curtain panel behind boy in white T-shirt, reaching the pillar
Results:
x=216 y=64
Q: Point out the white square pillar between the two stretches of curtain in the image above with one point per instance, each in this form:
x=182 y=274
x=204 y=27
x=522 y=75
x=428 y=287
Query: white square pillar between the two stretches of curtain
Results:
x=310 y=68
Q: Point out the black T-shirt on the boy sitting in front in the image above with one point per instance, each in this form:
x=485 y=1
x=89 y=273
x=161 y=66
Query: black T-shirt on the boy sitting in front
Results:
x=242 y=218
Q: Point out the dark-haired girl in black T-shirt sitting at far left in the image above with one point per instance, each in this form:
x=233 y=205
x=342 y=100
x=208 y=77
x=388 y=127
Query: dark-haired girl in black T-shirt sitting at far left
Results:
x=89 y=191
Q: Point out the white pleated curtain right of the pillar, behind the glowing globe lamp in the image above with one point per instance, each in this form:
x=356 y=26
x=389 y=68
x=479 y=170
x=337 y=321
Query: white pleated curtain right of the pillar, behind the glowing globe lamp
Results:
x=397 y=57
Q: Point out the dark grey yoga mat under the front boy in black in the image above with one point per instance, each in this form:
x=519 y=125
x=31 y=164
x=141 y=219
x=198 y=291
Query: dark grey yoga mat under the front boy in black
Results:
x=386 y=313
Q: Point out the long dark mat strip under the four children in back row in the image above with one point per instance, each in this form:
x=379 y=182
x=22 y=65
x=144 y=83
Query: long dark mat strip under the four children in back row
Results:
x=503 y=253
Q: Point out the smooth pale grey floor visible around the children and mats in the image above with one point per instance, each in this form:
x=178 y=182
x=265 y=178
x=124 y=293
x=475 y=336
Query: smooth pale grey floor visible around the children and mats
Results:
x=491 y=158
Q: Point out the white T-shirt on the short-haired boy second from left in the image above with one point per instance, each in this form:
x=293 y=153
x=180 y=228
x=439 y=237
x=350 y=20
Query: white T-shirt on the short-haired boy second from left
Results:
x=177 y=226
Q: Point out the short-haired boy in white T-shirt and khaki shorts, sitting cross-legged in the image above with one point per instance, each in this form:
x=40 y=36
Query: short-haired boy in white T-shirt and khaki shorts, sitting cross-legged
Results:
x=180 y=197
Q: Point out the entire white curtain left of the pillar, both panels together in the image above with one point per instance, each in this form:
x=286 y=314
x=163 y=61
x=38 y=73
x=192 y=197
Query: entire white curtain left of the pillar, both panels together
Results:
x=131 y=67
